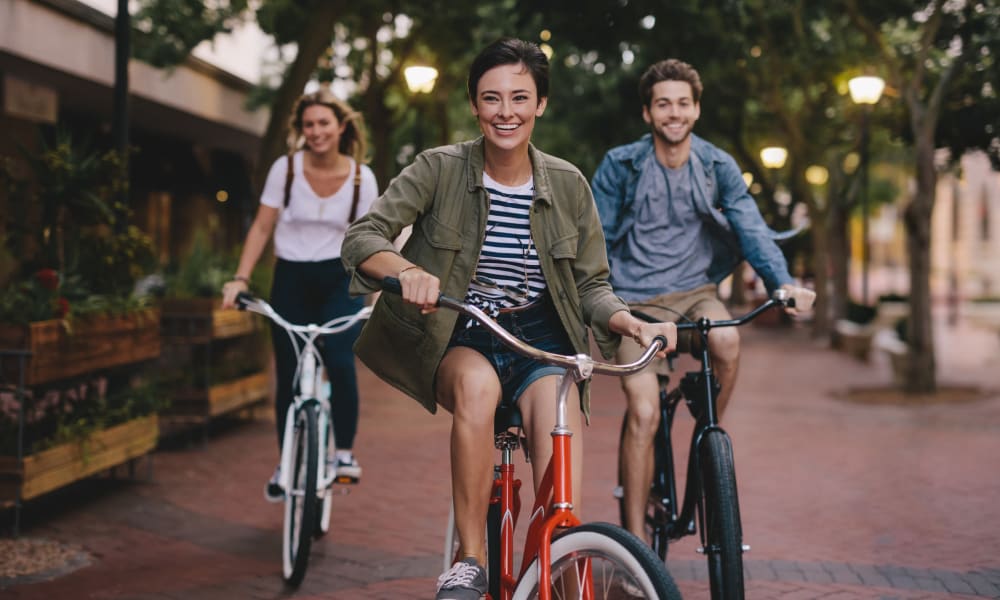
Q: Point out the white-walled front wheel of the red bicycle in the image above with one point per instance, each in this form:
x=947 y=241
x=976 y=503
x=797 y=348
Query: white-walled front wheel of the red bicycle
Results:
x=611 y=561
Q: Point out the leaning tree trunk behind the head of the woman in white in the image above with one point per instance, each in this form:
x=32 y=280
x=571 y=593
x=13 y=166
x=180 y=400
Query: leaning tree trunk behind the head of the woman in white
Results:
x=314 y=41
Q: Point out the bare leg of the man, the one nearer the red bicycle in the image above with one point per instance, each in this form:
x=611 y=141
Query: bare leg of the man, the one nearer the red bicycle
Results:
x=641 y=421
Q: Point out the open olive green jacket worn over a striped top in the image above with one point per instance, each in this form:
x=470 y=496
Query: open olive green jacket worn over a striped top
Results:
x=442 y=195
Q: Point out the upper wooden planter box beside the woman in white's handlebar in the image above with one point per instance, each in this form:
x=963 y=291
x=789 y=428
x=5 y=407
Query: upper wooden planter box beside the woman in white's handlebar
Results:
x=201 y=320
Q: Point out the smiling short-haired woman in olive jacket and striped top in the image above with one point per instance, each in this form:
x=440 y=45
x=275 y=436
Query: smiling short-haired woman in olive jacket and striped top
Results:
x=514 y=232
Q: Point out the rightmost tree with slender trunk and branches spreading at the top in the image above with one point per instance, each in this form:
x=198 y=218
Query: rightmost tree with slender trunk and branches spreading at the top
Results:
x=928 y=49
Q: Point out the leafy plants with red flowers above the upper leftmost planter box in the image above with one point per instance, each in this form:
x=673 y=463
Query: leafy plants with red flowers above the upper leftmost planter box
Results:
x=81 y=259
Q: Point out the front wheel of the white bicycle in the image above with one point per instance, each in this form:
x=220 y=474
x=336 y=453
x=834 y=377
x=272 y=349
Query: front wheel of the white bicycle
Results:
x=300 y=500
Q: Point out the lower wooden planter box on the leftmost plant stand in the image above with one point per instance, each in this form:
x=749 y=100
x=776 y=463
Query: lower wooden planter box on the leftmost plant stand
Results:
x=61 y=465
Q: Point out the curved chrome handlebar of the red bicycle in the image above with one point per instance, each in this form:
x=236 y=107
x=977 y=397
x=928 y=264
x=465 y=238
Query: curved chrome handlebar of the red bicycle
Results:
x=584 y=364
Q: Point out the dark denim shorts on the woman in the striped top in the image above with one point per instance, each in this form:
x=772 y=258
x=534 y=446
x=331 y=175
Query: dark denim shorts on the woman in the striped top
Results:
x=537 y=325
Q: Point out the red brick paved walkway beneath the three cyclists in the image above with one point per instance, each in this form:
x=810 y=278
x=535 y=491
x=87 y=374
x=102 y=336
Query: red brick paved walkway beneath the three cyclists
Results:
x=840 y=499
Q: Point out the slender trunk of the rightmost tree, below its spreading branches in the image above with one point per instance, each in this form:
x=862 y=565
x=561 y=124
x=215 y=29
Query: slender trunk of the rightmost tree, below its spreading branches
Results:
x=921 y=371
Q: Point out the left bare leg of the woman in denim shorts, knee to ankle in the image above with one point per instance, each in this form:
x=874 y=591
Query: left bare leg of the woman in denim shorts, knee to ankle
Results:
x=467 y=386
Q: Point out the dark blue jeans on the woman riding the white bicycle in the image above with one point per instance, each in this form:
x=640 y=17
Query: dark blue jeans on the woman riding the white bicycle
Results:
x=315 y=292
